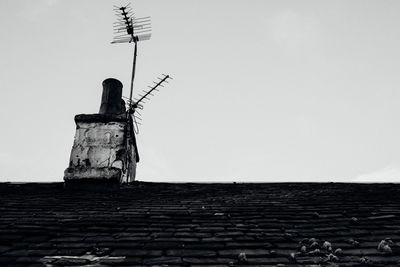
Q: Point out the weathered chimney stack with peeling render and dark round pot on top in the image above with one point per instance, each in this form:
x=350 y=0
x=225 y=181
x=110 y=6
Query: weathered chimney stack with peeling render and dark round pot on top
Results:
x=100 y=152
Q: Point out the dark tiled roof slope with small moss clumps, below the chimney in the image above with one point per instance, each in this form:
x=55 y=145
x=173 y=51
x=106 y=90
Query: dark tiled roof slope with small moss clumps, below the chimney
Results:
x=165 y=224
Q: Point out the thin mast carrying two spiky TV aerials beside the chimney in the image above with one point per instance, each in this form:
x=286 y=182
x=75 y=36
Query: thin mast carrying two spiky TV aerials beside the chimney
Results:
x=131 y=29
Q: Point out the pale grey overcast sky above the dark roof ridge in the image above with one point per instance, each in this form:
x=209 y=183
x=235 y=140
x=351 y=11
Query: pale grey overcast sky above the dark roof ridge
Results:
x=263 y=90
